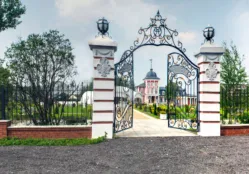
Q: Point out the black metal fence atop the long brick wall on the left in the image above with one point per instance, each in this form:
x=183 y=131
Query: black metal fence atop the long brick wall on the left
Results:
x=64 y=105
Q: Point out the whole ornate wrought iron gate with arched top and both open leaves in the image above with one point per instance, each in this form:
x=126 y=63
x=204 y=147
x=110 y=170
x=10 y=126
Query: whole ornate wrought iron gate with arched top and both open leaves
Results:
x=182 y=75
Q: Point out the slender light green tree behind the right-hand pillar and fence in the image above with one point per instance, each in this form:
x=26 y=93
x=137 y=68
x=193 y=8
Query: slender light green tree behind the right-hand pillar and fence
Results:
x=233 y=78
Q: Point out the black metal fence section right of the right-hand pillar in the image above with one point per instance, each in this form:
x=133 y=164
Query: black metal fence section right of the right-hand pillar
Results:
x=234 y=103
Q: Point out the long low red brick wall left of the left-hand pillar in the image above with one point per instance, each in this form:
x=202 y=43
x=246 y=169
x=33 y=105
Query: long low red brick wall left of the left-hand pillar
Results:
x=6 y=130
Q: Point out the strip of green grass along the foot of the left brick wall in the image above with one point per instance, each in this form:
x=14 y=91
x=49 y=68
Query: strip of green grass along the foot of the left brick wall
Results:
x=50 y=142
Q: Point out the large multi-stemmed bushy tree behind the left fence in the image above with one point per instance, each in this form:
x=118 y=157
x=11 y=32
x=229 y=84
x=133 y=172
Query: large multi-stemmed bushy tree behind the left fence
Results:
x=37 y=66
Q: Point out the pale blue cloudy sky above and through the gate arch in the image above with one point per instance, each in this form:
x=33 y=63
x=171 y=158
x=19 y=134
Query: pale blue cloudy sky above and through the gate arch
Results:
x=77 y=20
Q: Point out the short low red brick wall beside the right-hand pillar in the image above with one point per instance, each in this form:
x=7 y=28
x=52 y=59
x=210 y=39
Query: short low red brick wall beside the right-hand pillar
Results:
x=234 y=129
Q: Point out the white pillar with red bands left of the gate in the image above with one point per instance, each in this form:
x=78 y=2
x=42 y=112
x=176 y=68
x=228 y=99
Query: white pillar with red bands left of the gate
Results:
x=103 y=49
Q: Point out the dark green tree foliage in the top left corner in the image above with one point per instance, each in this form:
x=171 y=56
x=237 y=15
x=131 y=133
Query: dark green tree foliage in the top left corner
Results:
x=10 y=12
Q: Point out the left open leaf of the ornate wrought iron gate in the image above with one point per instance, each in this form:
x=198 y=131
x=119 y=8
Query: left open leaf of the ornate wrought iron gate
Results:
x=124 y=87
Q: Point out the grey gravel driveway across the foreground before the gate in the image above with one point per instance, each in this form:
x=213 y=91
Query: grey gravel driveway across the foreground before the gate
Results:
x=133 y=155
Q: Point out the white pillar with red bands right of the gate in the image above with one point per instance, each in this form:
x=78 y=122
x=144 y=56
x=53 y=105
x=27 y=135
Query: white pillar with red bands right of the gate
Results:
x=209 y=89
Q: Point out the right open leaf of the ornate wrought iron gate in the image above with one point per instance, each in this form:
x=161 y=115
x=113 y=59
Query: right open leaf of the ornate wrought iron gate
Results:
x=182 y=92
